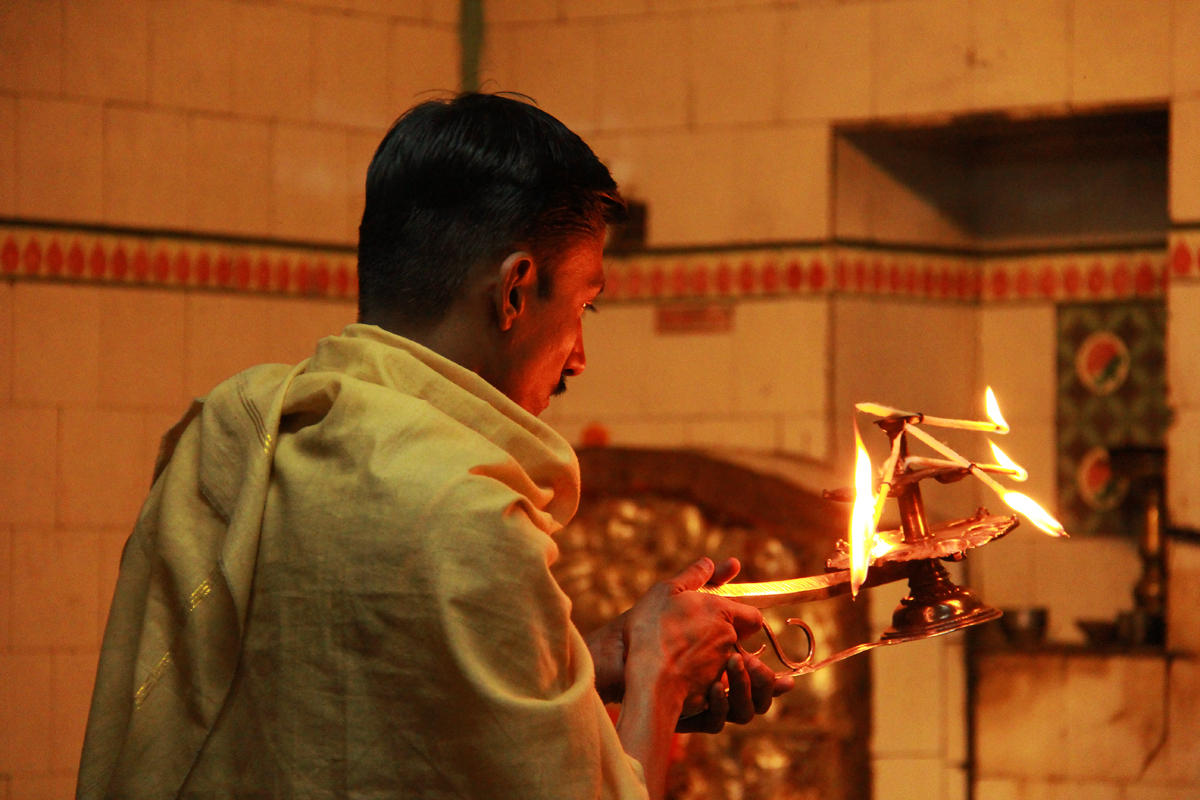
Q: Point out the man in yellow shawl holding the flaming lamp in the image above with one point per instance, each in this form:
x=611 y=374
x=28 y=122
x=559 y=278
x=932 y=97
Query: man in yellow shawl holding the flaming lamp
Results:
x=340 y=584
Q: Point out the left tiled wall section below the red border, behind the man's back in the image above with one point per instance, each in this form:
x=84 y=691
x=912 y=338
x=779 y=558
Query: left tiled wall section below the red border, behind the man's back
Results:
x=92 y=378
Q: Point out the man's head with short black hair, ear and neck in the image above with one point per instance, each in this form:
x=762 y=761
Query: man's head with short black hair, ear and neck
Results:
x=482 y=236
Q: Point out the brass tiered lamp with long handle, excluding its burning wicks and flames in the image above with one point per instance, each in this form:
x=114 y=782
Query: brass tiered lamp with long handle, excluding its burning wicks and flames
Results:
x=935 y=605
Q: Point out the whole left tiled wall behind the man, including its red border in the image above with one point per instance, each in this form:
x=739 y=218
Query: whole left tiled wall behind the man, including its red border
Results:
x=241 y=124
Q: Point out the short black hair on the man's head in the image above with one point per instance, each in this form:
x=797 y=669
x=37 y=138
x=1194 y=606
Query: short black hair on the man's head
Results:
x=463 y=183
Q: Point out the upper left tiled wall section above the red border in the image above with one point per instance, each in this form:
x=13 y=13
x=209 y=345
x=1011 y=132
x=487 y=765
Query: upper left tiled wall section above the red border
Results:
x=211 y=116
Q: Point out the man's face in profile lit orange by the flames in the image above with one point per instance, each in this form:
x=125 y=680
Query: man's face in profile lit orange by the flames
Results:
x=547 y=342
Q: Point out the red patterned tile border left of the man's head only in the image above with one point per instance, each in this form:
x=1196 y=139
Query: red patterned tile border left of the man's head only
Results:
x=133 y=260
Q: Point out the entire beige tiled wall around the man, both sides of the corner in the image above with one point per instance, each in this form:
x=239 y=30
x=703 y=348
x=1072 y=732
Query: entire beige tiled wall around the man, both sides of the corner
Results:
x=256 y=121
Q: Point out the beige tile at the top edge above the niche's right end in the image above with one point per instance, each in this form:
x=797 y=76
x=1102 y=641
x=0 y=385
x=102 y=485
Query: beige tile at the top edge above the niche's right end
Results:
x=1121 y=51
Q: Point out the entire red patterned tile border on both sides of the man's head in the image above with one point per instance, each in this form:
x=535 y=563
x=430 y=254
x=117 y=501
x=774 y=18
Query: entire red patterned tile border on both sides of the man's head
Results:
x=143 y=260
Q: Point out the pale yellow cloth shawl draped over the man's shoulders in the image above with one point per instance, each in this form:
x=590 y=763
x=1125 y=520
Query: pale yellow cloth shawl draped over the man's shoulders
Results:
x=340 y=587
